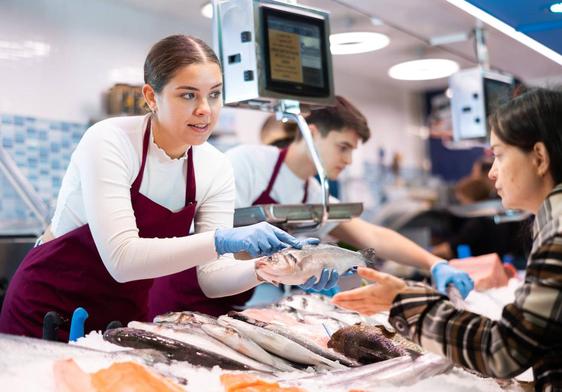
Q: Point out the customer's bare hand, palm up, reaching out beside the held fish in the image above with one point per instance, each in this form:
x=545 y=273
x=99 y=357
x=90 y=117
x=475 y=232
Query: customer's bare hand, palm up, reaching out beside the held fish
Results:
x=373 y=298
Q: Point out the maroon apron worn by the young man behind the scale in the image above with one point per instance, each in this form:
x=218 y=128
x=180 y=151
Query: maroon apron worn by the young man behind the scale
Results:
x=181 y=291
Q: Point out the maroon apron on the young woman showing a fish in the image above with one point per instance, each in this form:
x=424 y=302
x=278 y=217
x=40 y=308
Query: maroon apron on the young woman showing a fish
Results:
x=68 y=272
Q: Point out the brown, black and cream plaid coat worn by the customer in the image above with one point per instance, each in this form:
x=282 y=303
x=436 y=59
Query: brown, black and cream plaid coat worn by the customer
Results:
x=529 y=332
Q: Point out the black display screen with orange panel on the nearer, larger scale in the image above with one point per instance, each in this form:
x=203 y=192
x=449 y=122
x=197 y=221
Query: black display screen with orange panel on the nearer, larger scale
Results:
x=295 y=53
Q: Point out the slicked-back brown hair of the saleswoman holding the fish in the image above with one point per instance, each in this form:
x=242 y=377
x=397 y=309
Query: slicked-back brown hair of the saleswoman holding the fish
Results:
x=172 y=53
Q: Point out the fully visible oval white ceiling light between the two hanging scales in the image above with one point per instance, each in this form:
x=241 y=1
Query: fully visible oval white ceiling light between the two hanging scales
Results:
x=426 y=69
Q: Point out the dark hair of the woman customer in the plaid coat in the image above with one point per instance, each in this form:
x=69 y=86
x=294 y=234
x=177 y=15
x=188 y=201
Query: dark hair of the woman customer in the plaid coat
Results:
x=534 y=116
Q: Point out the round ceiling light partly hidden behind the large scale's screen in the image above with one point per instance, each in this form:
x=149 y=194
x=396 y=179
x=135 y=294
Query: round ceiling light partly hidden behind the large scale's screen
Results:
x=357 y=42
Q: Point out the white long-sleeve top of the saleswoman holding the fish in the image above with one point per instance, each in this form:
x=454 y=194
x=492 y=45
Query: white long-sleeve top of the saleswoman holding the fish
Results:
x=96 y=190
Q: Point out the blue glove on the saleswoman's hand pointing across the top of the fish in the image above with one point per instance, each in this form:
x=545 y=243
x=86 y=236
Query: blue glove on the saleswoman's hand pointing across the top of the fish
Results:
x=261 y=239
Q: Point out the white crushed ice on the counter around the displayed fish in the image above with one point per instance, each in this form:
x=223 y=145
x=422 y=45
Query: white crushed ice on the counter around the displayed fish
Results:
x=20 y=370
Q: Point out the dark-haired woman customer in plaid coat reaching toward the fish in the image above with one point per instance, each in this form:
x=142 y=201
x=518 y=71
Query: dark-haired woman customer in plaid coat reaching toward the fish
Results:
x=526 y=141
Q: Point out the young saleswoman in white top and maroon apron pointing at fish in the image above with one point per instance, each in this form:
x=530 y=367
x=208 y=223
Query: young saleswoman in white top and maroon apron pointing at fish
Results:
x=133 y=189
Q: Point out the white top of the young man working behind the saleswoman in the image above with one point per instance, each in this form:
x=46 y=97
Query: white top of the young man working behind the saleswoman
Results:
x=253 y=166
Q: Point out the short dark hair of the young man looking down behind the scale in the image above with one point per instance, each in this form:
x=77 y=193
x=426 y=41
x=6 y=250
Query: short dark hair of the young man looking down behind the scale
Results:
x=337 y=118
